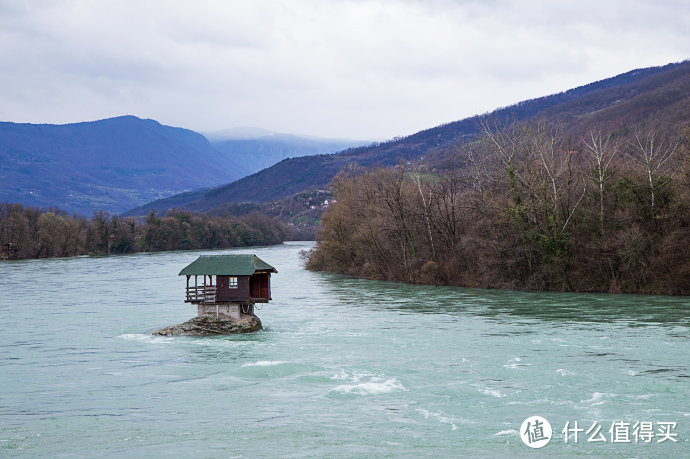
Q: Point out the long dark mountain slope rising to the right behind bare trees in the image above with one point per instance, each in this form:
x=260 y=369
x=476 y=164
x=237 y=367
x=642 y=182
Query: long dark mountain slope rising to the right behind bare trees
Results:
x=612 y=103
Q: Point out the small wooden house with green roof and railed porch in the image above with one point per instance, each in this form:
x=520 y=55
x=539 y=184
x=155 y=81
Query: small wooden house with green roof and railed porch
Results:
x=228 y=285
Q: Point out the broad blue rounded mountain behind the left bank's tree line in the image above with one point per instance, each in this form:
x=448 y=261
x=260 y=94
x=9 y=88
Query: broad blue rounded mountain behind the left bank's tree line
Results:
x=113 y=164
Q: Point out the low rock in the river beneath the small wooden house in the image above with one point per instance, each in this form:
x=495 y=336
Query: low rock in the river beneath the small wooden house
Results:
x=208 y=325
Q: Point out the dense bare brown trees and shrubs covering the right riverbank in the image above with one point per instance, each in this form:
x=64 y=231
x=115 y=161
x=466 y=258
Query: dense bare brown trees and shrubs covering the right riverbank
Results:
x=524 y=206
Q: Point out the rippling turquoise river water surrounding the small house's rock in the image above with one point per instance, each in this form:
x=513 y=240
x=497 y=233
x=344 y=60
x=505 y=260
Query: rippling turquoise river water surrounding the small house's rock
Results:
x=344 y=367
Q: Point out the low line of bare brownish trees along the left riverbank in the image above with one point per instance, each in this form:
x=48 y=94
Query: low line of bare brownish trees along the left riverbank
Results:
x=30 y=232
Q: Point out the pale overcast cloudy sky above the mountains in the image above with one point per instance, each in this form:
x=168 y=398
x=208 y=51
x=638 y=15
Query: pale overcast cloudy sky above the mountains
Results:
x=349 y=69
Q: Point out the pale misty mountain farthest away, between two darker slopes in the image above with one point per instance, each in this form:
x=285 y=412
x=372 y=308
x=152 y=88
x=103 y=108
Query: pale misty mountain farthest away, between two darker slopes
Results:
x=258 y=149
